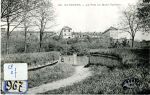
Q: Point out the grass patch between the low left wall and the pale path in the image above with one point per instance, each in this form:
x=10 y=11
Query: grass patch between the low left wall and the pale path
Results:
x=49 y=74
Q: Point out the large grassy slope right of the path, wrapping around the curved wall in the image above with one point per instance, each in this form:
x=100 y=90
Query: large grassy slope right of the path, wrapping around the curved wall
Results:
x=107 y=81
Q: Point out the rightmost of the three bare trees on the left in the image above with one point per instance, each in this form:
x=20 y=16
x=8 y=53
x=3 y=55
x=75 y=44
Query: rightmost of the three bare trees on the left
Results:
x=44 y=15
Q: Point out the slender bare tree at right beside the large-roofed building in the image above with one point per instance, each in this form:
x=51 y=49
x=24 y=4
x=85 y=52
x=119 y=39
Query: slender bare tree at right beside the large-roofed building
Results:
x=130 y=22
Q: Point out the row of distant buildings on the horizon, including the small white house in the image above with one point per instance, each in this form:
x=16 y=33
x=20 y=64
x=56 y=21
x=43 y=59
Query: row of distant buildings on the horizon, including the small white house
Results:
x=109 y=36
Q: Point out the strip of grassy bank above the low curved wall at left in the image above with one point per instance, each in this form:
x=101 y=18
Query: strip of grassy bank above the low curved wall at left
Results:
x=33 y=59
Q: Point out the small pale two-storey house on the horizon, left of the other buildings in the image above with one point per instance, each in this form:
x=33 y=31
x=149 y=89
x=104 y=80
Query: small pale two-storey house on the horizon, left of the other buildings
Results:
x=66 y=32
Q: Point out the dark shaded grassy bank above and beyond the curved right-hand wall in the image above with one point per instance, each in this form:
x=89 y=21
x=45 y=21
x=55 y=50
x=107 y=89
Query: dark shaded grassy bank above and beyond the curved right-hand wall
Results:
x=129 y=57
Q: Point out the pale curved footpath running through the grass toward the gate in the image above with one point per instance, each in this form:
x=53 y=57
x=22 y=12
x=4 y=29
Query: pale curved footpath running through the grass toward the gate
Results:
x=80 y=74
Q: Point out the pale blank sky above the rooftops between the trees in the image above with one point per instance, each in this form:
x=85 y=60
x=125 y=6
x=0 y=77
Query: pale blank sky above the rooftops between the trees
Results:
x=89 y=15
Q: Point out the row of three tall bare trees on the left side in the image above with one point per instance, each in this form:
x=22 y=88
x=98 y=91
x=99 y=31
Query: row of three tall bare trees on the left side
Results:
x=26 y=14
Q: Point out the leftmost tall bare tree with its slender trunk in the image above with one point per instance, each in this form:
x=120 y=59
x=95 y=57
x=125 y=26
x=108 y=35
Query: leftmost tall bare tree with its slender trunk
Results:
x=9 y=11
